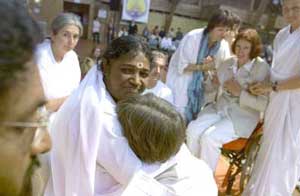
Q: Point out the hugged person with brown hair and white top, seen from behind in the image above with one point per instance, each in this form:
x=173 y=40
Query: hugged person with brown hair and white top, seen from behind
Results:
x=156 y=132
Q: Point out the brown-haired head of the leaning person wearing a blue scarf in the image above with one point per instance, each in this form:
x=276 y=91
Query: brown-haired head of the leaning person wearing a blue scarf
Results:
x=219 y=24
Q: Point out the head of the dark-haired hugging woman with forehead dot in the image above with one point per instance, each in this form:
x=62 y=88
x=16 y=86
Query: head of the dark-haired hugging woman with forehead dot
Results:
x=126 y=67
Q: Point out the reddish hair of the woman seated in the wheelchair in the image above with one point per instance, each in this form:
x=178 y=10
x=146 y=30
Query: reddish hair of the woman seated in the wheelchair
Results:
x=251 y=36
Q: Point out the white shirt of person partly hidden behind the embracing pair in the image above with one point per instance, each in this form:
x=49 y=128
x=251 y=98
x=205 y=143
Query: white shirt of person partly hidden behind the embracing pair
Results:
x=161 y=90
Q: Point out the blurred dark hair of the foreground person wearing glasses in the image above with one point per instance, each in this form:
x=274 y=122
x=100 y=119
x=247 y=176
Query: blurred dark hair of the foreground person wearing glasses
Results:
x=19 y=35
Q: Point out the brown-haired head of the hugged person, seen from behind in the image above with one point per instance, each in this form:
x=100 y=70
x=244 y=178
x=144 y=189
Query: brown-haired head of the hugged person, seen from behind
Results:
x=154 y=129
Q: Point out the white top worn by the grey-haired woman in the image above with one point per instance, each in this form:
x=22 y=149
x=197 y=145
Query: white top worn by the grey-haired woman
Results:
x=58 y=79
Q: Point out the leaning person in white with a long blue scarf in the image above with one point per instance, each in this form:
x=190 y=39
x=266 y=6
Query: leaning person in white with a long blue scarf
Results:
x=199 y=53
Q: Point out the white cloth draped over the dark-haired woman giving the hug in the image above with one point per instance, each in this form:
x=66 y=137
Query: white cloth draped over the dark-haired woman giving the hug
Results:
x=90 y=155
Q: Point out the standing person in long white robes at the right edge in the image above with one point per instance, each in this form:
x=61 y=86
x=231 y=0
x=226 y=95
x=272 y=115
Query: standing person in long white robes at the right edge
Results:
x=277 y=167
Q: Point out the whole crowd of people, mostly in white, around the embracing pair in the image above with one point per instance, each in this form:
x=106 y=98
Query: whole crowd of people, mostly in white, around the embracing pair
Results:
x=133 y=120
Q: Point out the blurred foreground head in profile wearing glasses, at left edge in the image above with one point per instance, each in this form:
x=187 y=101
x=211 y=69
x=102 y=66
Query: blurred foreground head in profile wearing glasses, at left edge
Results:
x=21 y=95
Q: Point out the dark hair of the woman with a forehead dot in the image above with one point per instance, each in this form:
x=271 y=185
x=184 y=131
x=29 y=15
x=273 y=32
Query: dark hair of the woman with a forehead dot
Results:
x=127 y=45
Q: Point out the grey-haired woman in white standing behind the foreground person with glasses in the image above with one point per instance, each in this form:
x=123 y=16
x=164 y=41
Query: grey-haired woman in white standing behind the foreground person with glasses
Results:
x=57 y=62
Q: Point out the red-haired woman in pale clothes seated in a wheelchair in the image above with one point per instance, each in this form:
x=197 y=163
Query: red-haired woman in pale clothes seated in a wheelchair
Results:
x=236 y=112
